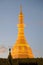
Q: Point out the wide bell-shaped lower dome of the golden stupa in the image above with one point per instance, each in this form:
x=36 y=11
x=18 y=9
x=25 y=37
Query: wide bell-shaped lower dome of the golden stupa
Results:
x=21 y=49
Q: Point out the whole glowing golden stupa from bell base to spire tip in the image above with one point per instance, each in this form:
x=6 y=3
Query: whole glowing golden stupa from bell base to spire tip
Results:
x=21 y=48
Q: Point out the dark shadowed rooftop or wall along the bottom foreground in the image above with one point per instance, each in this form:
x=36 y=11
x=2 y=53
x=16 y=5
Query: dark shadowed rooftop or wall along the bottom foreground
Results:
x=27 y=61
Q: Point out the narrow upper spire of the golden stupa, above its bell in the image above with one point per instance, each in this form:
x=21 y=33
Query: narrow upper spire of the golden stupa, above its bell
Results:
x=21 y=24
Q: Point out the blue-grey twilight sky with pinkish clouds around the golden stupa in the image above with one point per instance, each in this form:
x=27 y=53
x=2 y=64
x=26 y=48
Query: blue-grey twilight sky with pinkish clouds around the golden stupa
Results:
x=33 y=19
